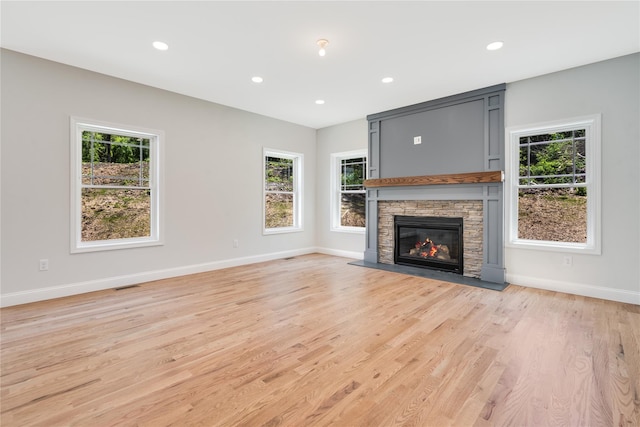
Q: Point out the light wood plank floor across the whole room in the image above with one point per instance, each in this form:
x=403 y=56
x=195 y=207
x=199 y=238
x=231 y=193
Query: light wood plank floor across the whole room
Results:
x=315 y=341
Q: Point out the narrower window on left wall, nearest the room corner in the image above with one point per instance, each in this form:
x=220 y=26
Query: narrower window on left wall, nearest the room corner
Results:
x=282 y=191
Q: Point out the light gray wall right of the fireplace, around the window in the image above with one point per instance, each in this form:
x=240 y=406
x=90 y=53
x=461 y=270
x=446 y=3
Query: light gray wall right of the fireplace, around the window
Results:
x=611 y=88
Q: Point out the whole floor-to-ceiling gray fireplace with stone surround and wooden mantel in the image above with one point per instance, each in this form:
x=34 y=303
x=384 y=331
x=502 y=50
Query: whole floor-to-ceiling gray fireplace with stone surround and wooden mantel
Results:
x=456 y=173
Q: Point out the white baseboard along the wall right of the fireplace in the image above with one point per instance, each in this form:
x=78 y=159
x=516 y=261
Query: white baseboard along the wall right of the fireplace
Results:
x=611 y=294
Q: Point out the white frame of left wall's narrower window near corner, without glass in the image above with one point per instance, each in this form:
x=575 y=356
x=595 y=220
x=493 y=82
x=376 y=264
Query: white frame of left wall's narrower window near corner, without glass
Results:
x=298 y=185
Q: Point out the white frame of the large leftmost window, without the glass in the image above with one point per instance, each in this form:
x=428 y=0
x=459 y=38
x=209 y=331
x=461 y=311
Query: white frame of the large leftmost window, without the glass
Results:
x=156 y=167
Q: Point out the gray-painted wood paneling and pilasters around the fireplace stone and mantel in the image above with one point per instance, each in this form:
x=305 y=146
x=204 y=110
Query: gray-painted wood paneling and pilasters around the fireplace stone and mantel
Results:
x=461 y=133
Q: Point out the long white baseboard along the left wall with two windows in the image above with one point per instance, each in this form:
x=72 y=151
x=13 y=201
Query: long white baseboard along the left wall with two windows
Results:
x=34 y=295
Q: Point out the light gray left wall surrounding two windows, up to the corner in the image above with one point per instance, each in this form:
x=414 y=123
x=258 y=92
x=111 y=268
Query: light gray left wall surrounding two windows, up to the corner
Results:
x=213 y=180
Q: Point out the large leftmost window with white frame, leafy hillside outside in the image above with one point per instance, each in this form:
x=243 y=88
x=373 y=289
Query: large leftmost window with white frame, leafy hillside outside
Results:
x=114 y=186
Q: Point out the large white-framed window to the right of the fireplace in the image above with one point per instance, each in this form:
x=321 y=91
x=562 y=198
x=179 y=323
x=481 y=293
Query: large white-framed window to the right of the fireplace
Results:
x=553 y=201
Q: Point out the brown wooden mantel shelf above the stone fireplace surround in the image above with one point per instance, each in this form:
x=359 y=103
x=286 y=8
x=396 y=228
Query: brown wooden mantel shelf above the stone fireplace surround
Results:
x=453 y=178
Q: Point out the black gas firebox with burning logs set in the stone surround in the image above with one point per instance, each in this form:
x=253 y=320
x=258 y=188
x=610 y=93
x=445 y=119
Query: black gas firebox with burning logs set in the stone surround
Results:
x=429 y=242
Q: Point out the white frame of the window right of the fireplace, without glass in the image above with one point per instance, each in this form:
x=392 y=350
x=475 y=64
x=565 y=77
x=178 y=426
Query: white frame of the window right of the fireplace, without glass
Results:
x=592 y=126
